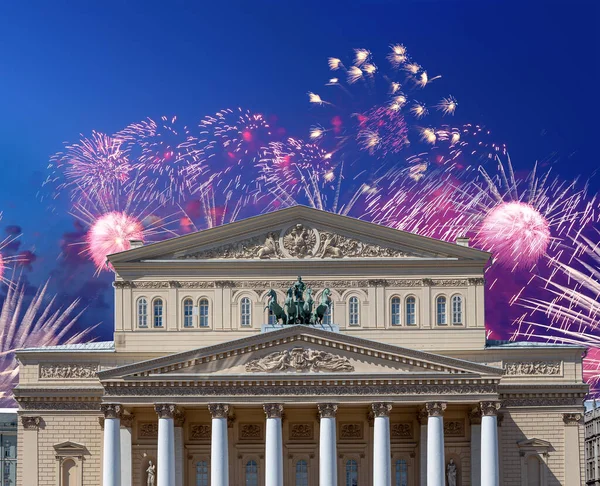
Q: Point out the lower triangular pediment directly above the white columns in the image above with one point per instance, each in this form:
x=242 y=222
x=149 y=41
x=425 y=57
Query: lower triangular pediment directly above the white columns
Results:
x=300 y=351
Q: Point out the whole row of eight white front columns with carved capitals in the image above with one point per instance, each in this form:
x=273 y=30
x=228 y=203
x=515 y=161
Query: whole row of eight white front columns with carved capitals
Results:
x=382 y=470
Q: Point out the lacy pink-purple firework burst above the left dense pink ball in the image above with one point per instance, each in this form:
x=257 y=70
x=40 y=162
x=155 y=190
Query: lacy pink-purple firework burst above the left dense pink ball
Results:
x=98 y=163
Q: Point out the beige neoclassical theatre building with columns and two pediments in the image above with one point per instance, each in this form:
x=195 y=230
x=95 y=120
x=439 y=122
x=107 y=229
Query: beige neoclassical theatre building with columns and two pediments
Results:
x=300 y=348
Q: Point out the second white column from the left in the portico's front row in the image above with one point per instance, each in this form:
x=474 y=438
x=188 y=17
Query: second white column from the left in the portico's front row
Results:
x=165 y=460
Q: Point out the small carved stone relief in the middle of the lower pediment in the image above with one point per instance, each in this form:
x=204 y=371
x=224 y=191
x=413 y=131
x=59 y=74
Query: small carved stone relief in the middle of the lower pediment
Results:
x=299 y=360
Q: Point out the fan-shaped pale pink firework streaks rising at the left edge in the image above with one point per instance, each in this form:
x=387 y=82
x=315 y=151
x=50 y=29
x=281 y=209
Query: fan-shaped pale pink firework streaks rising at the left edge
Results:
x=23 y=324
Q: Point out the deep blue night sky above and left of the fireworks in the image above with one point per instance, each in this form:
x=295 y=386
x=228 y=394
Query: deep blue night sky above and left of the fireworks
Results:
x=526 y=70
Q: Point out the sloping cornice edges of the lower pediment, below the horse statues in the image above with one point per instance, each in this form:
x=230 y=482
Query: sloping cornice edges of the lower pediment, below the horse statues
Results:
x=153 y=363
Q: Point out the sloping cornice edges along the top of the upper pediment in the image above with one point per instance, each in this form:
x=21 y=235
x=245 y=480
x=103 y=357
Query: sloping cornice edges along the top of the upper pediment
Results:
x=249 y=224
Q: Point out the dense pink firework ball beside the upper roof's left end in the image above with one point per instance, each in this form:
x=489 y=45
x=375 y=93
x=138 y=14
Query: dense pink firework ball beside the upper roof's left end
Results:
x=112 y=233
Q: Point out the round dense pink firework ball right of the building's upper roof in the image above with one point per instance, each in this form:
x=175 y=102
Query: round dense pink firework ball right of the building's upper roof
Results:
x=516 y=233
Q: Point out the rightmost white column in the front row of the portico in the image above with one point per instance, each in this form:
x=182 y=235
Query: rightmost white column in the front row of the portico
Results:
x=490 y=472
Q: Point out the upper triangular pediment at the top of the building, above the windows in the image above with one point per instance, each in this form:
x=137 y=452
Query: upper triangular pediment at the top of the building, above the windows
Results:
x=299 y=233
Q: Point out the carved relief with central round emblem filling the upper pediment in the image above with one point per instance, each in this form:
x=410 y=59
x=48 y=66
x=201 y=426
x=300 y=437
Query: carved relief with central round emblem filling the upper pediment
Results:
x=297 y=241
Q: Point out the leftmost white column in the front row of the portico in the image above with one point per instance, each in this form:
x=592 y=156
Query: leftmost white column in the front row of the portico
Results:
x=111 y=464
